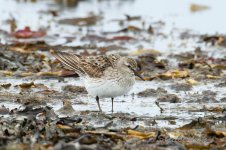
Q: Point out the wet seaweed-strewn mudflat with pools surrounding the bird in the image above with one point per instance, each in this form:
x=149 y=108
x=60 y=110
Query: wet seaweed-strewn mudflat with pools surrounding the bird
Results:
x=181 y=105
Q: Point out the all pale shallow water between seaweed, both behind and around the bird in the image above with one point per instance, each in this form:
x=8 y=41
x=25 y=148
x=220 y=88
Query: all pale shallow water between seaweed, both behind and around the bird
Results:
x=177 y=18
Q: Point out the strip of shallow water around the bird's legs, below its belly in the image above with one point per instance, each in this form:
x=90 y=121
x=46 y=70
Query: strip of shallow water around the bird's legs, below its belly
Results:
x=134 y=105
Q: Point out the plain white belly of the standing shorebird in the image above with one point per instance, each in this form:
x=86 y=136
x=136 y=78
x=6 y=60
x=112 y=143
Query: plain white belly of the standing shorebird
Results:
x=108 y=88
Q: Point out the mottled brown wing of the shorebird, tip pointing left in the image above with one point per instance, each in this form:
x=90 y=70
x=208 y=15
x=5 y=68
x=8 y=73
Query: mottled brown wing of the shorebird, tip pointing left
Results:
x=92 y=66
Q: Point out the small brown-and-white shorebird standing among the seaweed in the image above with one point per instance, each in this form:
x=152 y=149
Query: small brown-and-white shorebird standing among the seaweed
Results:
x=103 y=76
